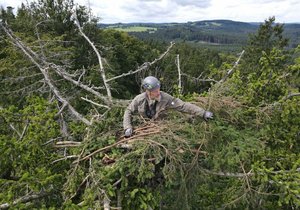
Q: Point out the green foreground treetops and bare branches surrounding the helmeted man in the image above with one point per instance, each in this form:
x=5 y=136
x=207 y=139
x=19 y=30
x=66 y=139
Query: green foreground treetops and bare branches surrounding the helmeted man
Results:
x=65 y=84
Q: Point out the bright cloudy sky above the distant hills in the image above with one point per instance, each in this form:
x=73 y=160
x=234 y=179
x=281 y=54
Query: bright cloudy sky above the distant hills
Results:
x=126 y=11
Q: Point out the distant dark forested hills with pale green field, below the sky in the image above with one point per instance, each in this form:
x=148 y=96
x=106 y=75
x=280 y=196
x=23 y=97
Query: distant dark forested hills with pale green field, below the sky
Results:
x=224 y=35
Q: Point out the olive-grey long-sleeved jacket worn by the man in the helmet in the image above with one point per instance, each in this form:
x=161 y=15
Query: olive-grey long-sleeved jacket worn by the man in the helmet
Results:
x=144 y=106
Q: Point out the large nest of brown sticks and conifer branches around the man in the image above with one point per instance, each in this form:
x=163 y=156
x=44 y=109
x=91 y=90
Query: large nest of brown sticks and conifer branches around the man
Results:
x=170 y=149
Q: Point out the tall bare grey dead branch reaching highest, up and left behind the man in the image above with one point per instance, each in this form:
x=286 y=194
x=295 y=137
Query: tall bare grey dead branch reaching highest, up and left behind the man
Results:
x=102 y=72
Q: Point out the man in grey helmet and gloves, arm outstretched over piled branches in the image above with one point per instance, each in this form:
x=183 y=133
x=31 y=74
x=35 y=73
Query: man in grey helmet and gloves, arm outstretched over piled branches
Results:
x=153 y=102
